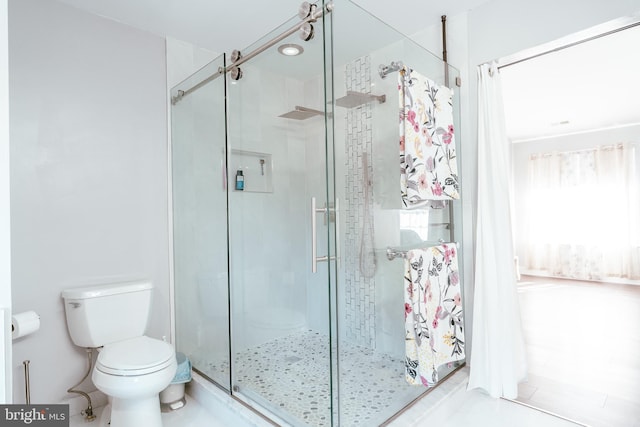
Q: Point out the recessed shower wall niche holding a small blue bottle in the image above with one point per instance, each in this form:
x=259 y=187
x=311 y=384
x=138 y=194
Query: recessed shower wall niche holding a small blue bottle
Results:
x=257 y=171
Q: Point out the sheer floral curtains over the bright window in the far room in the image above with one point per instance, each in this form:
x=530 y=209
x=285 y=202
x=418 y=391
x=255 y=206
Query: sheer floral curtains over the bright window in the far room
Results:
x=582 y=213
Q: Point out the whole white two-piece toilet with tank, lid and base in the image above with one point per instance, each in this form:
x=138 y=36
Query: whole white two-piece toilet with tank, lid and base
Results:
x=132 y=369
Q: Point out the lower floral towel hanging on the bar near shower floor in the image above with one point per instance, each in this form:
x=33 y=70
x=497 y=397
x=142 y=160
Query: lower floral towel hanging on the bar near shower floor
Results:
x=434 y=333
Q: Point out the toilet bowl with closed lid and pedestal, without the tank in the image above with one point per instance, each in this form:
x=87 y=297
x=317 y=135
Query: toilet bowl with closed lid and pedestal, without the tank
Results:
x=132 y=373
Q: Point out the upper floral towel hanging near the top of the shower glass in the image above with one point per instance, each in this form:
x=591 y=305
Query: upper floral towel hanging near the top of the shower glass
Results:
x=428 y=168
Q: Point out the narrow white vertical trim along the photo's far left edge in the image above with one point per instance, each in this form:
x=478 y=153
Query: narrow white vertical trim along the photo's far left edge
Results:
x=5 y=226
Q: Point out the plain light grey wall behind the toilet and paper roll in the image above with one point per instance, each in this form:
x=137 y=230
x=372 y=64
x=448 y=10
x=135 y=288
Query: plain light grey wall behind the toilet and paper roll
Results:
x=89 y=175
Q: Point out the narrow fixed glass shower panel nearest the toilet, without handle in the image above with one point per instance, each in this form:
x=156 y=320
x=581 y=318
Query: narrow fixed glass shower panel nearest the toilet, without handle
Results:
x=200 y=261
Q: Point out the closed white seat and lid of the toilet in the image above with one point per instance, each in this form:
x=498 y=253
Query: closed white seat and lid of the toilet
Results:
x=136 y=356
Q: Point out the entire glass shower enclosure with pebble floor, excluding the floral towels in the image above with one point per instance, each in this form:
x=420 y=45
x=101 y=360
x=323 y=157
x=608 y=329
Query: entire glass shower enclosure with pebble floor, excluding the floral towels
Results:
x=285 y=200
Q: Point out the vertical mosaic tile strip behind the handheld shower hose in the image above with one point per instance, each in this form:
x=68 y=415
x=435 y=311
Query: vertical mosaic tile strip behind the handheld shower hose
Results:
x=359 y=288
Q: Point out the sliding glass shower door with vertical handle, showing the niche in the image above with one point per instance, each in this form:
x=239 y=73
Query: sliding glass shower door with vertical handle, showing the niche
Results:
x=279 y=223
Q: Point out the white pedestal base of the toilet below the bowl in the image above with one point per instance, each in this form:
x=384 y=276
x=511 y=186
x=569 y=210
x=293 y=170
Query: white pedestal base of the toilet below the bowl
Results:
x=132 y=413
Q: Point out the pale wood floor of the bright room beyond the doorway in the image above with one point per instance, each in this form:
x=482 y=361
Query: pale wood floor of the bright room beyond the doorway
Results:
x=583 y=350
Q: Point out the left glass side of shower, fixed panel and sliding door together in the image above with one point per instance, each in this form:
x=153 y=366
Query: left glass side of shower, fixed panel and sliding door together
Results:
x=255 y=225
